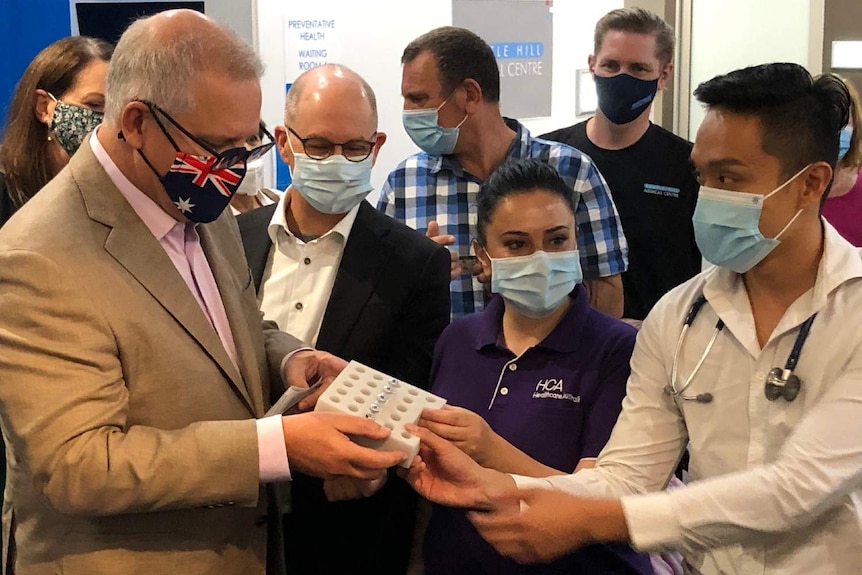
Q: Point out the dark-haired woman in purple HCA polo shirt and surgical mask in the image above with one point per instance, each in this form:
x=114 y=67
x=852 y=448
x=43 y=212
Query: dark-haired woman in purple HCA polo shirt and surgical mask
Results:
x=535 y=382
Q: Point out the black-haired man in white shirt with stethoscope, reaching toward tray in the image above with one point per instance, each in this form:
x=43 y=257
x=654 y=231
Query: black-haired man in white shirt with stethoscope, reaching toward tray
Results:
x=765 y=386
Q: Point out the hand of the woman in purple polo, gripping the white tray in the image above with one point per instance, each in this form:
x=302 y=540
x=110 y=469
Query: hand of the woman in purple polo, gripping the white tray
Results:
x=465 y=429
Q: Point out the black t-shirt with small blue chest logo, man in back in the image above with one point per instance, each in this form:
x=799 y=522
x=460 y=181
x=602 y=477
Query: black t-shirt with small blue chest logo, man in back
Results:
x=655 y=191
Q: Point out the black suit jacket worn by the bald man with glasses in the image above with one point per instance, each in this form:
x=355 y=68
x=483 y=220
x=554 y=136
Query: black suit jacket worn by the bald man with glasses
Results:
x=389 y=303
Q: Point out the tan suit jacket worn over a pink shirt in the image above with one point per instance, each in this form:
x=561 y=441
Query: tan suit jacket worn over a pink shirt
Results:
x=131 y=435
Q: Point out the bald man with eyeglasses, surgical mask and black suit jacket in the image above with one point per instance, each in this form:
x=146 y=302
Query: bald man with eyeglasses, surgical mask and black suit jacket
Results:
x=353 y=282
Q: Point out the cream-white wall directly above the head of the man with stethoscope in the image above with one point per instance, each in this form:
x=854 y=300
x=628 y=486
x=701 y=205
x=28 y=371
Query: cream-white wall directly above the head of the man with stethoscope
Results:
x=731 y=34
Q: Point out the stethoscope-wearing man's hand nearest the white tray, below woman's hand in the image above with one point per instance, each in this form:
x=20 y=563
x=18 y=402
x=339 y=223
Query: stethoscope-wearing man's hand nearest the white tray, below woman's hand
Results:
x=444 y=474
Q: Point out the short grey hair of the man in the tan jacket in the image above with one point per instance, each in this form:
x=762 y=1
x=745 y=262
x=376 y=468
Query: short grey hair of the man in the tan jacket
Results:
x=149 y=64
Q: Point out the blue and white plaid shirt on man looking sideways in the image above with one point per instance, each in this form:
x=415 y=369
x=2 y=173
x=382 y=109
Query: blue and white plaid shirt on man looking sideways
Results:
x=427 y=188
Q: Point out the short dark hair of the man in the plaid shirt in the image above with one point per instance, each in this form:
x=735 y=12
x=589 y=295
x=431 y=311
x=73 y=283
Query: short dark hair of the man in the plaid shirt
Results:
x=460 y=54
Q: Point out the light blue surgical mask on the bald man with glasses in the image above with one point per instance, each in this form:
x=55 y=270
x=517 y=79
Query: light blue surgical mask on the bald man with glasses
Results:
x=334 y=185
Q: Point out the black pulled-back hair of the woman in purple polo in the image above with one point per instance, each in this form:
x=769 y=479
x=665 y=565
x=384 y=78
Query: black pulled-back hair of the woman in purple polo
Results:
x=518 y=177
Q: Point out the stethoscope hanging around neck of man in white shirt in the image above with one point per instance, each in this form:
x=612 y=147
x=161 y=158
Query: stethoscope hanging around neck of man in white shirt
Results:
x=781 y=382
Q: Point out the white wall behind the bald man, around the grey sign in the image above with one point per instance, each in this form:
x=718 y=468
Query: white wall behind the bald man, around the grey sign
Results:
x=369 y=37
